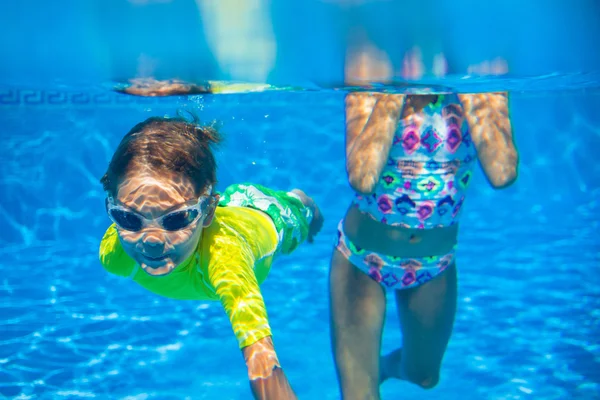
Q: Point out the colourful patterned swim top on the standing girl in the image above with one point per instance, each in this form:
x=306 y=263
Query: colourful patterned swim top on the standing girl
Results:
x=429 y=168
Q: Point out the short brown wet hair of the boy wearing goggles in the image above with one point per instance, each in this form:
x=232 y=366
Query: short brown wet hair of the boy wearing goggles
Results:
x=168 y=145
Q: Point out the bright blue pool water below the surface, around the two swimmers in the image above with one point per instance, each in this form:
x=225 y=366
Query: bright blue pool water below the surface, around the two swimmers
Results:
x=528 y=321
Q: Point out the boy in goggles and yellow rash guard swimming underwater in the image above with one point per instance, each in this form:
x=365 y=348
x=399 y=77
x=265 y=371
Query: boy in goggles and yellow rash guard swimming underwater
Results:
x=175 y=236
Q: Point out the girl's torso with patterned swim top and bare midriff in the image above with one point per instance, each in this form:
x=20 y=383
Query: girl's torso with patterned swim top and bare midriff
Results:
x=420 y=193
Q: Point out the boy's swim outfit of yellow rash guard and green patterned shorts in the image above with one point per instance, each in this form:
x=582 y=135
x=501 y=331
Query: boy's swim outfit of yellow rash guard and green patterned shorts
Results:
x=231 y=260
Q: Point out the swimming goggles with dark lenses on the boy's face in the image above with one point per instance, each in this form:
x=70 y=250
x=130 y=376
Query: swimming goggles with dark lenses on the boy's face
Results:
x=130 y=220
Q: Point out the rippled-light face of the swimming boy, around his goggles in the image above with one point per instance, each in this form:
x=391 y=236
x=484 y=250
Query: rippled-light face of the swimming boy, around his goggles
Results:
x=157 y=250
